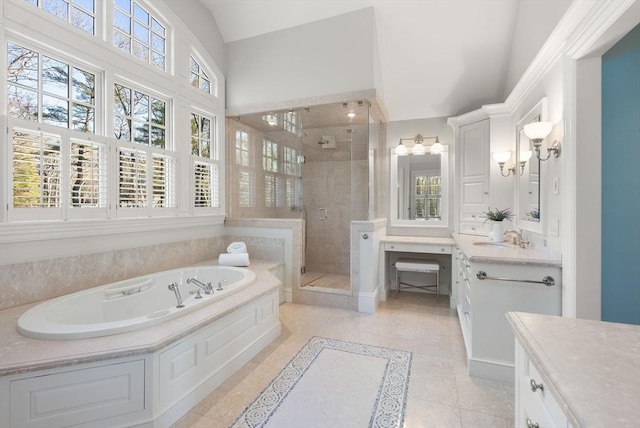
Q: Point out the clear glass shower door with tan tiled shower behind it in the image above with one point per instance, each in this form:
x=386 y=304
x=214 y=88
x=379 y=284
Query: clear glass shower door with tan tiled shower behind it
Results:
x=334 y=183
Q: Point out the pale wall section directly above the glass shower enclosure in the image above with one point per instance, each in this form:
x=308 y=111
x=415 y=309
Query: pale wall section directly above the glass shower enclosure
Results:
x=332 y=56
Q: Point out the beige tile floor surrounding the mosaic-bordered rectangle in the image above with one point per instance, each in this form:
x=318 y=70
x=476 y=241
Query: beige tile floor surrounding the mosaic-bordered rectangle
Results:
x=441 y=393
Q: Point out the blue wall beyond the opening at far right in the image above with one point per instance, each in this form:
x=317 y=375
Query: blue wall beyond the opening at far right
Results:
x=621 y=180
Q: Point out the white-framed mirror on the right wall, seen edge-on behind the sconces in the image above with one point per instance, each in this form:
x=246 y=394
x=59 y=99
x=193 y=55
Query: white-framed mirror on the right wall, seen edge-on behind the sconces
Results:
x=529 y=212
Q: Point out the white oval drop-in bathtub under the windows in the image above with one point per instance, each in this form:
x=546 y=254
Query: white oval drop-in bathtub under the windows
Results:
x=130 y=304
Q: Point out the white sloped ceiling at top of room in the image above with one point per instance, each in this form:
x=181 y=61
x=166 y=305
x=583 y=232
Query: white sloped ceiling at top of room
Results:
x=437 y=57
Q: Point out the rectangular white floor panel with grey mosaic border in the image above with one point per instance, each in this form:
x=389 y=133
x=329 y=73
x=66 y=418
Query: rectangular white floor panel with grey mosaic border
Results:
x=332 y=383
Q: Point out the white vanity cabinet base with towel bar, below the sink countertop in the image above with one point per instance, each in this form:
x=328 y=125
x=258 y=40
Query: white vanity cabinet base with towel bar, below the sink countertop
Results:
x=483 y=304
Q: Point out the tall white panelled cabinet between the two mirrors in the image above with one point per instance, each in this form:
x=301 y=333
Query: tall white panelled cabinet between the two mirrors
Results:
x=474 y=177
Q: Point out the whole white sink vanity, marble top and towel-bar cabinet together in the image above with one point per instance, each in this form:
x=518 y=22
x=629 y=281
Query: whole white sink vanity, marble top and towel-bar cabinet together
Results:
x=491 y=280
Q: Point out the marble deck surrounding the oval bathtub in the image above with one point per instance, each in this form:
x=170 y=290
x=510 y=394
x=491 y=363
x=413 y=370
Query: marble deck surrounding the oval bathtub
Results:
x=20 y=354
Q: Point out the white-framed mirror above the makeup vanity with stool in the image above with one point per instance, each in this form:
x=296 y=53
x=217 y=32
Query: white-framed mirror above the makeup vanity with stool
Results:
x=419 y=190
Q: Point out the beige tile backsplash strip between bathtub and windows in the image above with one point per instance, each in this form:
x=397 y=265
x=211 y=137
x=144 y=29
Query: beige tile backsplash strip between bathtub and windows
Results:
x=29 y=282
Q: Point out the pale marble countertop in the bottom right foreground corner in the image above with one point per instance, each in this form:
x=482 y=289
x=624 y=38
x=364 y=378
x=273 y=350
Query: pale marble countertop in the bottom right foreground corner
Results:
x=591 y=367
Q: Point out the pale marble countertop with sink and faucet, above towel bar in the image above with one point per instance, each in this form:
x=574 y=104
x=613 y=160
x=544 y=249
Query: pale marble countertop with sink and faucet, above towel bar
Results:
x=513 y=255
